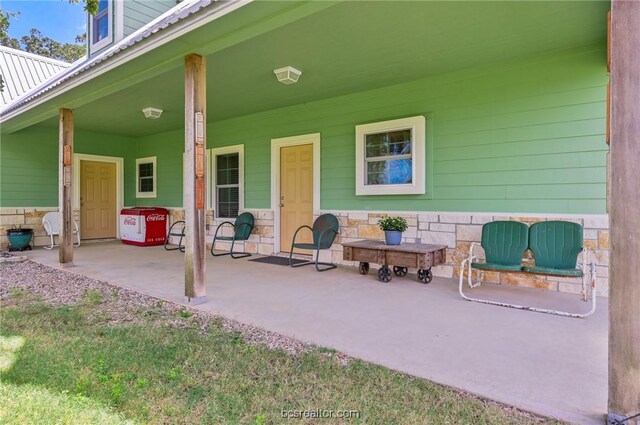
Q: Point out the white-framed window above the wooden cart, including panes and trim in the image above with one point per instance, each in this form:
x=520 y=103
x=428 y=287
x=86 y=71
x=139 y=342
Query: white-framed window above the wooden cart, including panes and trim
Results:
x=390 y=157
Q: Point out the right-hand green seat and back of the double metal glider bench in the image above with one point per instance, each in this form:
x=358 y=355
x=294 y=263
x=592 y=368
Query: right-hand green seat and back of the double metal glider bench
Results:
x=555 y=246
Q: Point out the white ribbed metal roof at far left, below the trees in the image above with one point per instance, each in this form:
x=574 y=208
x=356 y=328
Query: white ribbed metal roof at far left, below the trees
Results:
x=23 y=71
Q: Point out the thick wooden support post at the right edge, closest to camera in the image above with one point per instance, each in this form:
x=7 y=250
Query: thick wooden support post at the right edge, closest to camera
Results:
x=624 y=301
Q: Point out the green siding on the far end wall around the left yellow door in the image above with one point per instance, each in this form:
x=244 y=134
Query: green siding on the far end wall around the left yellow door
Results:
x=29 y=164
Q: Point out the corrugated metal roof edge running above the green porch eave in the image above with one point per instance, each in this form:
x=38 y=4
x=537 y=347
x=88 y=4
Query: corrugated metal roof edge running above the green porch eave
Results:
x=178 y=13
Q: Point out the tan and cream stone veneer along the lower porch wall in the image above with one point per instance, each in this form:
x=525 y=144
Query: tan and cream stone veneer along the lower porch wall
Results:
x=456 y=230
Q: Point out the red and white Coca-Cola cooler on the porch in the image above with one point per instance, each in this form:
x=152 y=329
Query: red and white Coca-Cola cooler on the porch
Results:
x=143 y=226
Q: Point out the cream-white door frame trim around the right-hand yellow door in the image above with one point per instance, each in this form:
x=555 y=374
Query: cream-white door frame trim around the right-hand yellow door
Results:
x=276 y=144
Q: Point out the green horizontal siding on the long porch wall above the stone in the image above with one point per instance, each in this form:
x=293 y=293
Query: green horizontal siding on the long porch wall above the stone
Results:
x=521 y=137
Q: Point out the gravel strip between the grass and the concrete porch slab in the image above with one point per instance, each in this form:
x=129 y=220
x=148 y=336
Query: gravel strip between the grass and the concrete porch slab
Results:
x=122 y=306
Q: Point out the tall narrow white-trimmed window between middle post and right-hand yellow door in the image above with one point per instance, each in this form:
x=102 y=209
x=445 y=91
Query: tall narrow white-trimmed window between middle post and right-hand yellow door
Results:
x=227 y=180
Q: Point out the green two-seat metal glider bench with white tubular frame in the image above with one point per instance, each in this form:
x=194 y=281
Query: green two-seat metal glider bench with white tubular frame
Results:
x=555 y=246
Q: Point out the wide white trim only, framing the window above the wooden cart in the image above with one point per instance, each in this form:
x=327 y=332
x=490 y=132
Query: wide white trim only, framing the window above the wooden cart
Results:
x=417 y=125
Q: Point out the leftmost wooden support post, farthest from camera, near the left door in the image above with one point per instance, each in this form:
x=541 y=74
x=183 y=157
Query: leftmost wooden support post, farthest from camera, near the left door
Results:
x=65 y=187
